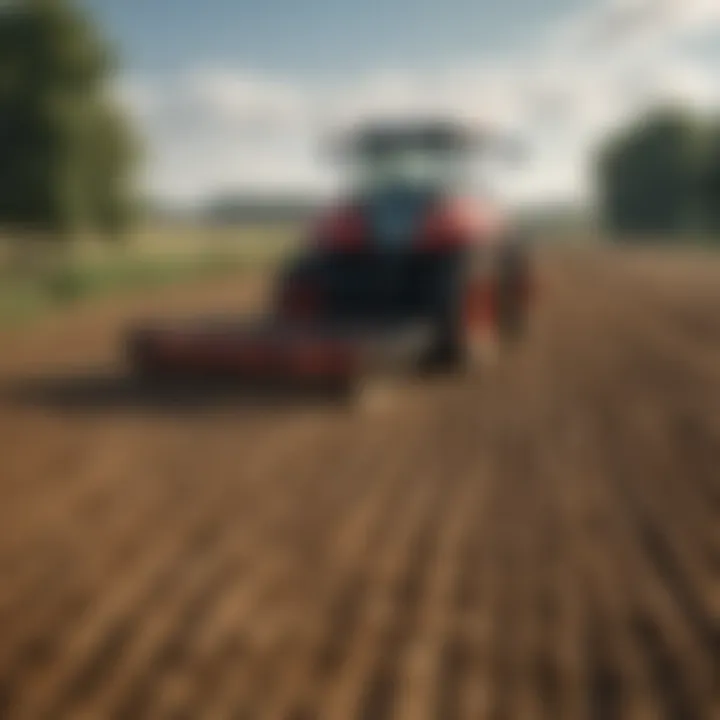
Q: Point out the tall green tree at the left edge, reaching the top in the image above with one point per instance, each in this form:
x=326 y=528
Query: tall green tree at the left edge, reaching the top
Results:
x=67 y=152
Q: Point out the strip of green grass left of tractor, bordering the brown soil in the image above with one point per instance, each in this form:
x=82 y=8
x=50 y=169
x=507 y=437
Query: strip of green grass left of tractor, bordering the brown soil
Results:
x=154 y=258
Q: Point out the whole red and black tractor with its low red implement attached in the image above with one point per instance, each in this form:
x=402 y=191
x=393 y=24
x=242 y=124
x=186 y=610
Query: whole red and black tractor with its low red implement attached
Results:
x=409 y=271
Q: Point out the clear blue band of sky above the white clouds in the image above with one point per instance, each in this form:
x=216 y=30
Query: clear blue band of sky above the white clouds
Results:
x=320 y=37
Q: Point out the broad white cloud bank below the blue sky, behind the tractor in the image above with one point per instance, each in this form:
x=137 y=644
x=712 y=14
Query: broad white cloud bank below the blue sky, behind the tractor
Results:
x=219 y=128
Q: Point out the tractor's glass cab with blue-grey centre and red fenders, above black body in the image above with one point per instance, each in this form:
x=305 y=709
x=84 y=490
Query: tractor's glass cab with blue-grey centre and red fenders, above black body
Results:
x=411 y=189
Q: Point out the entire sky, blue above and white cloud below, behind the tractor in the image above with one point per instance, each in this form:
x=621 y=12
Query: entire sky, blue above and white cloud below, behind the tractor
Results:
x=237 y=95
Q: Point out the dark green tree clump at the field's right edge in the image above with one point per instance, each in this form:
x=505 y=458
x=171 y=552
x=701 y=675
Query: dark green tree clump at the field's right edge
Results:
x=660 y=177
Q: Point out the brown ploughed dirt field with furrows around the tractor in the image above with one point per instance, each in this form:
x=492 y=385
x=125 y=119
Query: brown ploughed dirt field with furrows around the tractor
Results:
x=543 y=543
